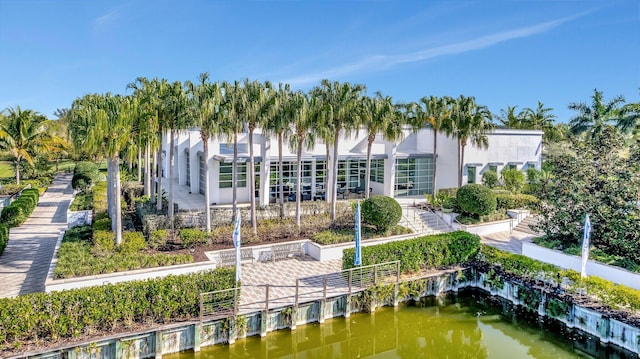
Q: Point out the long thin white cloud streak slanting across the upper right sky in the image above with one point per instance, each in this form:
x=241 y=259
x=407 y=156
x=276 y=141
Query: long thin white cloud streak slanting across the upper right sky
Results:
x=378 y=62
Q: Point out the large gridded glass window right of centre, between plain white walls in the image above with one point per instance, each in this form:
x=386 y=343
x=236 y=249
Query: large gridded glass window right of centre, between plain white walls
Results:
x=413 y=176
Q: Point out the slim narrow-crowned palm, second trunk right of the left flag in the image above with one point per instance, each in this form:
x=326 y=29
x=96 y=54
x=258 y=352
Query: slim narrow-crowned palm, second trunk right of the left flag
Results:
x=280 y=125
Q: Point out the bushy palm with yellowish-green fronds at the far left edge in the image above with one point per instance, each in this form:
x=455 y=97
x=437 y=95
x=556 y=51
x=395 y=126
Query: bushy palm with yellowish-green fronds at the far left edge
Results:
x=25 y=134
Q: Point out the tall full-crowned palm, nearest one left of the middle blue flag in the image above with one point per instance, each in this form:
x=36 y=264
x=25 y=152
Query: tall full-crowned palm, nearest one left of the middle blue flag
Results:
x=339 y=103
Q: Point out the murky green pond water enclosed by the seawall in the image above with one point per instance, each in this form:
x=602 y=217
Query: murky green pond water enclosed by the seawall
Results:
x=431 y=328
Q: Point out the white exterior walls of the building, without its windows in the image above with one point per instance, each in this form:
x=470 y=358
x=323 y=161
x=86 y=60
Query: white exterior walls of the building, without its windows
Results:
x=519 y=148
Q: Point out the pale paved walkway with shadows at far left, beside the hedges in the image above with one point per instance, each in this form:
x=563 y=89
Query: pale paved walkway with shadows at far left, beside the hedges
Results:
x=24 y=265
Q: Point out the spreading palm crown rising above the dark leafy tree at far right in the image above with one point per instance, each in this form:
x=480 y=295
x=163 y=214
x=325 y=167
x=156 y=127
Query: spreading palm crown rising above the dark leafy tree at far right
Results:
x=593 y=119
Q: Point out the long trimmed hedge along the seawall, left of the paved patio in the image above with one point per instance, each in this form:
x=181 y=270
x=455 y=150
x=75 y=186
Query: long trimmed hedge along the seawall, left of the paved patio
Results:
x=68 y=314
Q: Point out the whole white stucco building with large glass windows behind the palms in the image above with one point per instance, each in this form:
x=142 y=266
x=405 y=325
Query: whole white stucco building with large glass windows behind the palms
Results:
x=403 y=168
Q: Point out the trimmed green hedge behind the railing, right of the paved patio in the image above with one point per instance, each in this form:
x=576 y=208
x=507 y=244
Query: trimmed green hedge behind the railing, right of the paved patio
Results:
x=422 y=252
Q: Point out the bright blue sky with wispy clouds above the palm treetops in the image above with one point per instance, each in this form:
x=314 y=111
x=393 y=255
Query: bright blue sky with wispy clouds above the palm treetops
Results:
x=502 y=52
